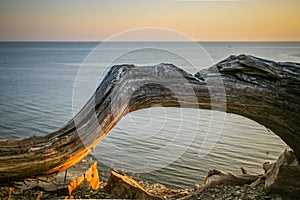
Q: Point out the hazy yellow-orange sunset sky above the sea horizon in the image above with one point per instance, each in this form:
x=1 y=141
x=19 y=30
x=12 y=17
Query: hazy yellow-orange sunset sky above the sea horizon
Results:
x=95 y=20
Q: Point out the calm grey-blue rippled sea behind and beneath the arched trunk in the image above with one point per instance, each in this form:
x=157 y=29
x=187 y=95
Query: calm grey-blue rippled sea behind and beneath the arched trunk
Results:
x=44 y=84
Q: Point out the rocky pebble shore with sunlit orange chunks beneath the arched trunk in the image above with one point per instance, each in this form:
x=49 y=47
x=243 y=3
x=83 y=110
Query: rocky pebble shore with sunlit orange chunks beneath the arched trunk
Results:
x=121 y=186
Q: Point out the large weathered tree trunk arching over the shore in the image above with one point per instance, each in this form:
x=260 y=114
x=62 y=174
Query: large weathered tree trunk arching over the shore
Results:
x=264 y=91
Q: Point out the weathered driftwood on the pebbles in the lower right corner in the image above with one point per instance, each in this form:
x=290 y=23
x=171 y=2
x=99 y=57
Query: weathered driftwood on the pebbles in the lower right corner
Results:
x=281 y=177
